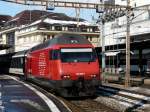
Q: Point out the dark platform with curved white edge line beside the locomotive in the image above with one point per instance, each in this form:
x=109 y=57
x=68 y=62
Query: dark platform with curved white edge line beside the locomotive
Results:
x=17 y=96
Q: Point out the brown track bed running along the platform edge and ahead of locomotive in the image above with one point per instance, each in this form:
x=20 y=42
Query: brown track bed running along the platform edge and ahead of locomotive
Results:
x=75 y=104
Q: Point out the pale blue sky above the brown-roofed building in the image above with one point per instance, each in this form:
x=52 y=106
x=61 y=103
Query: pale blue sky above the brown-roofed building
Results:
x=12 y=9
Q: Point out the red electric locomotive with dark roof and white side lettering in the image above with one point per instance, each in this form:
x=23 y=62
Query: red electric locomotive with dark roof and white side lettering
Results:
x=66 y=63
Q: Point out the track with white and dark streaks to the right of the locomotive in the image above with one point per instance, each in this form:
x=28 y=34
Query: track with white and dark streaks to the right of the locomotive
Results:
x=129 y=99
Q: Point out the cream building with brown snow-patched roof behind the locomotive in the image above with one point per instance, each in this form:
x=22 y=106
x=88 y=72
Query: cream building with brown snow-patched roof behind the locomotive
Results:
x=29 y=28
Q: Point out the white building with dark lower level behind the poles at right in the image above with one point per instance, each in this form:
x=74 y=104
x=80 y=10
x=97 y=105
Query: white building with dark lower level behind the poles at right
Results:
x=115 y=39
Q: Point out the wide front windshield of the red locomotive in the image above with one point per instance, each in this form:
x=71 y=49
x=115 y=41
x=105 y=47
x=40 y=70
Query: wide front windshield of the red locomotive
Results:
x=78 y=55
